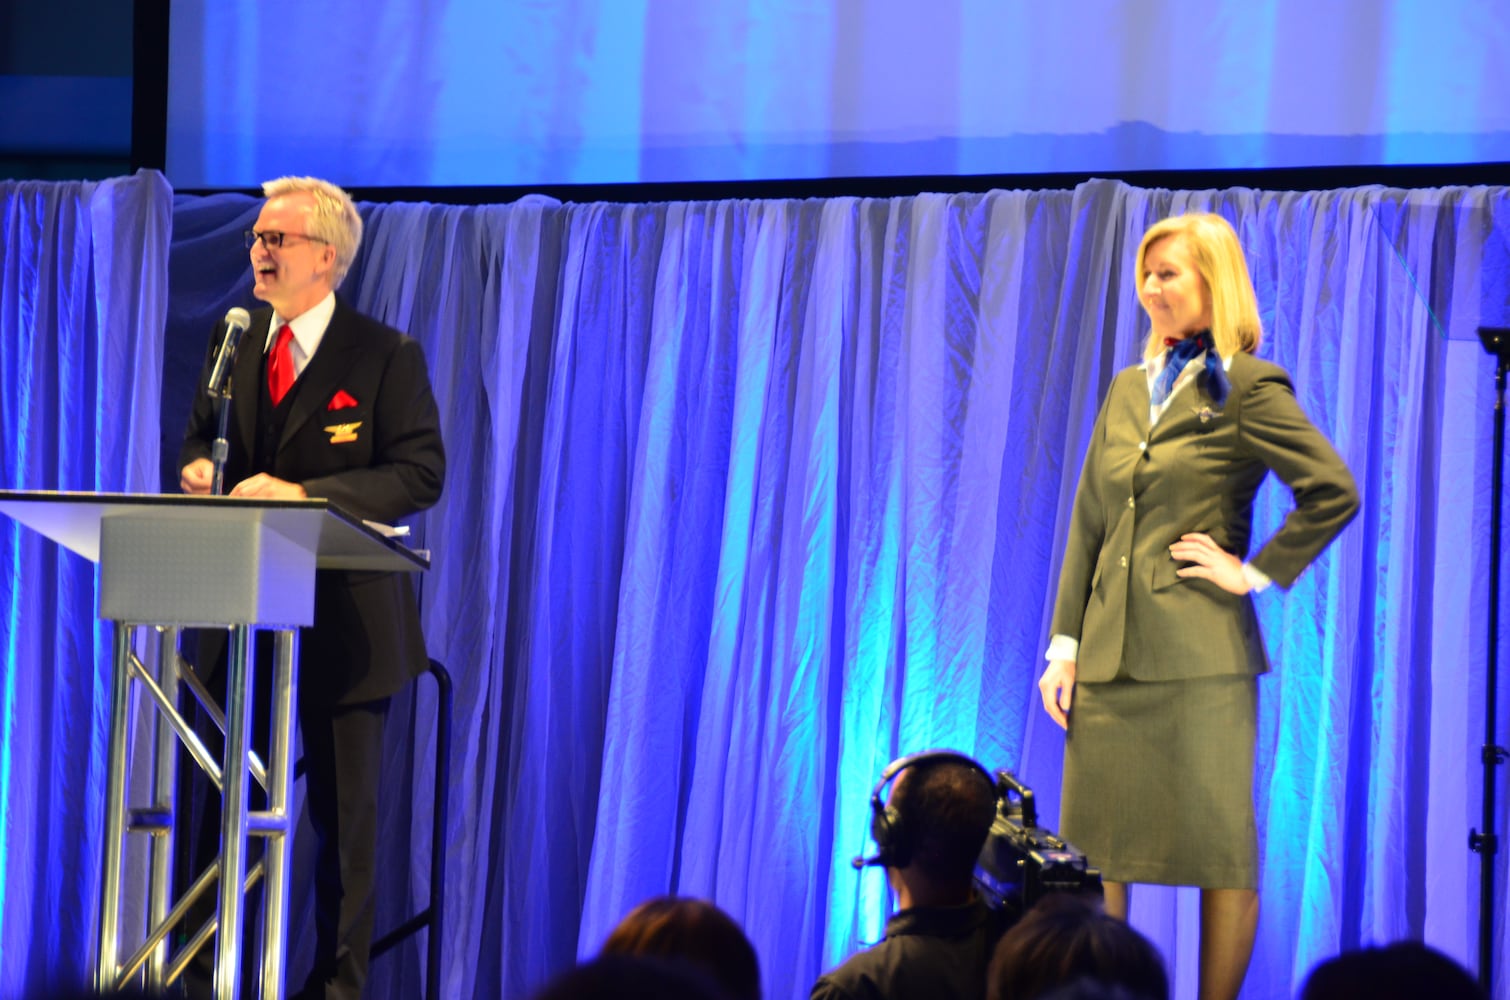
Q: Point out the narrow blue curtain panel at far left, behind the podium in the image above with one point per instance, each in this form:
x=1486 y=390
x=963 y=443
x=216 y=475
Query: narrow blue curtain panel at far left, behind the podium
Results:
x=84 y=292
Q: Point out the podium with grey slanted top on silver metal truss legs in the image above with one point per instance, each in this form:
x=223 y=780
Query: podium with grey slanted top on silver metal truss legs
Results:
x=170 y=563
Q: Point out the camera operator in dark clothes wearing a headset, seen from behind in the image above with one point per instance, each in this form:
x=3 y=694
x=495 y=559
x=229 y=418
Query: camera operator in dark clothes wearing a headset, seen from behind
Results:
x=929 y=836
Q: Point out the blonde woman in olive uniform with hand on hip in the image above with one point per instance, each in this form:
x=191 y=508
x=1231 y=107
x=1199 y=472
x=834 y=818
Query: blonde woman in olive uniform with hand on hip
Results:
x=1156 y=652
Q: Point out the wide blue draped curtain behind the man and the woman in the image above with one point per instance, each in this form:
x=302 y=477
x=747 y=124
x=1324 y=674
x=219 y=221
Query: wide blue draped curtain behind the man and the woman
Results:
x=750 y=498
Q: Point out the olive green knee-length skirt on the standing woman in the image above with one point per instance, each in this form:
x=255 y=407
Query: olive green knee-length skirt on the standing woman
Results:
x=1159 y=782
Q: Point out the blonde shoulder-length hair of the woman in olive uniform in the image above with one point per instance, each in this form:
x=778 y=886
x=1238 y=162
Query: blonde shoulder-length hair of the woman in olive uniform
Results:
x=1218 y=256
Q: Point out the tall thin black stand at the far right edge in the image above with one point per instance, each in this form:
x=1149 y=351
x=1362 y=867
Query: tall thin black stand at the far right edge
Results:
x=1497 y=342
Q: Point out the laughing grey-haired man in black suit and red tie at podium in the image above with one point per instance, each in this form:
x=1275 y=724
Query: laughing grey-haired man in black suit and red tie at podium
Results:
x=327 y=404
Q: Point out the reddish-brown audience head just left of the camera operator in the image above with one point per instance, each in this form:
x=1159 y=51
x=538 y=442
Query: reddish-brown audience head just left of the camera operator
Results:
x=695 y=933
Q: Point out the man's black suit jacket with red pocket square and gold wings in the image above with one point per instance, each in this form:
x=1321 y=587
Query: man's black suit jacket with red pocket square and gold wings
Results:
x=380 y=458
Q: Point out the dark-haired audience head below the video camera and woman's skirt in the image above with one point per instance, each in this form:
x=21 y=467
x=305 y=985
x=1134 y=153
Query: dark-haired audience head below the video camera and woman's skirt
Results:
x=1070 y=943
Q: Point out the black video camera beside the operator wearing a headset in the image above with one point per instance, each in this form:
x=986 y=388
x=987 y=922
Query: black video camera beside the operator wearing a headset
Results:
x=1022 y=862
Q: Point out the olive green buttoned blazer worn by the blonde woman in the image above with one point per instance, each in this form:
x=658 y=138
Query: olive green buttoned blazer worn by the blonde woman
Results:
x=1197 y=471
